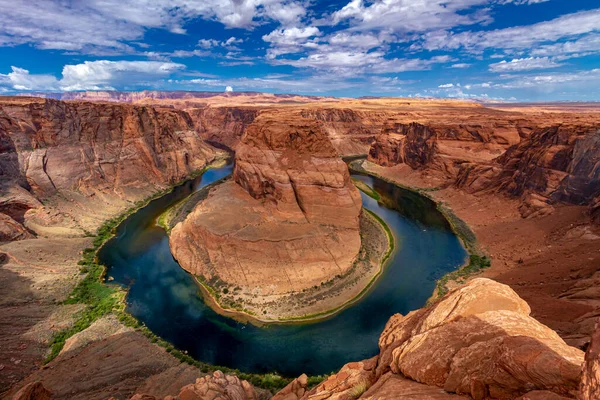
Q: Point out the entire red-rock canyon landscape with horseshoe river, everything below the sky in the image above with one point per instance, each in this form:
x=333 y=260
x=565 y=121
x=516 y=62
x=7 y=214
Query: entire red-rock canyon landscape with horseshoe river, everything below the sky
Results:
x=417 y=248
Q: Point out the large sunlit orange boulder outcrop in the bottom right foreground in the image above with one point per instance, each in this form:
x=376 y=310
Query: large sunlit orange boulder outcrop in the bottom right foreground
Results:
x=479 y=341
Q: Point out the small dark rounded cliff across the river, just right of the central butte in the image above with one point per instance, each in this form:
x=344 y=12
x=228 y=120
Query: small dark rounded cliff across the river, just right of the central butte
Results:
x=413 y=144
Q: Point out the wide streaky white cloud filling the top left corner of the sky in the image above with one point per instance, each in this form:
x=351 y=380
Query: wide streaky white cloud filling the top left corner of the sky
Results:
x=109 y=26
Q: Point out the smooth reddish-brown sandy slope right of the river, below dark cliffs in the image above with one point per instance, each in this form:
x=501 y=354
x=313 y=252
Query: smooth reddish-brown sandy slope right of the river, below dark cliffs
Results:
x=551 y=261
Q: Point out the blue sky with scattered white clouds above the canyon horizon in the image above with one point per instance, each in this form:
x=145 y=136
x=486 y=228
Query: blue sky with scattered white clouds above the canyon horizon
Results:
x=506 y=50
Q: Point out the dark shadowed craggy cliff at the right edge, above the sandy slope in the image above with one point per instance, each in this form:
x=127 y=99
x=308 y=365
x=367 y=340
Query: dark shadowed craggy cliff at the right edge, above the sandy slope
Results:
x=555 y=164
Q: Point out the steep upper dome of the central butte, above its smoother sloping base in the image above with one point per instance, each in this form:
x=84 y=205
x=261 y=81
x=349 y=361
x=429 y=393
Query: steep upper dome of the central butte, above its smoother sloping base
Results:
x=292 y=165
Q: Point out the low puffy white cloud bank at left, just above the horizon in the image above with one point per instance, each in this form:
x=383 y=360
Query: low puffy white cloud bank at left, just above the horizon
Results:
x=90 y=75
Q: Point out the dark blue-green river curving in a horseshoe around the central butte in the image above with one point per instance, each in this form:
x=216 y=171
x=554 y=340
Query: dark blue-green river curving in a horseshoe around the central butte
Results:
x=166 y=298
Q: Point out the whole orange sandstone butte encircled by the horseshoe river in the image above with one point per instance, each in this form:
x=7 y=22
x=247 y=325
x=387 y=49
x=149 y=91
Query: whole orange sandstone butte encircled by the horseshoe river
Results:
x=288 y=221
